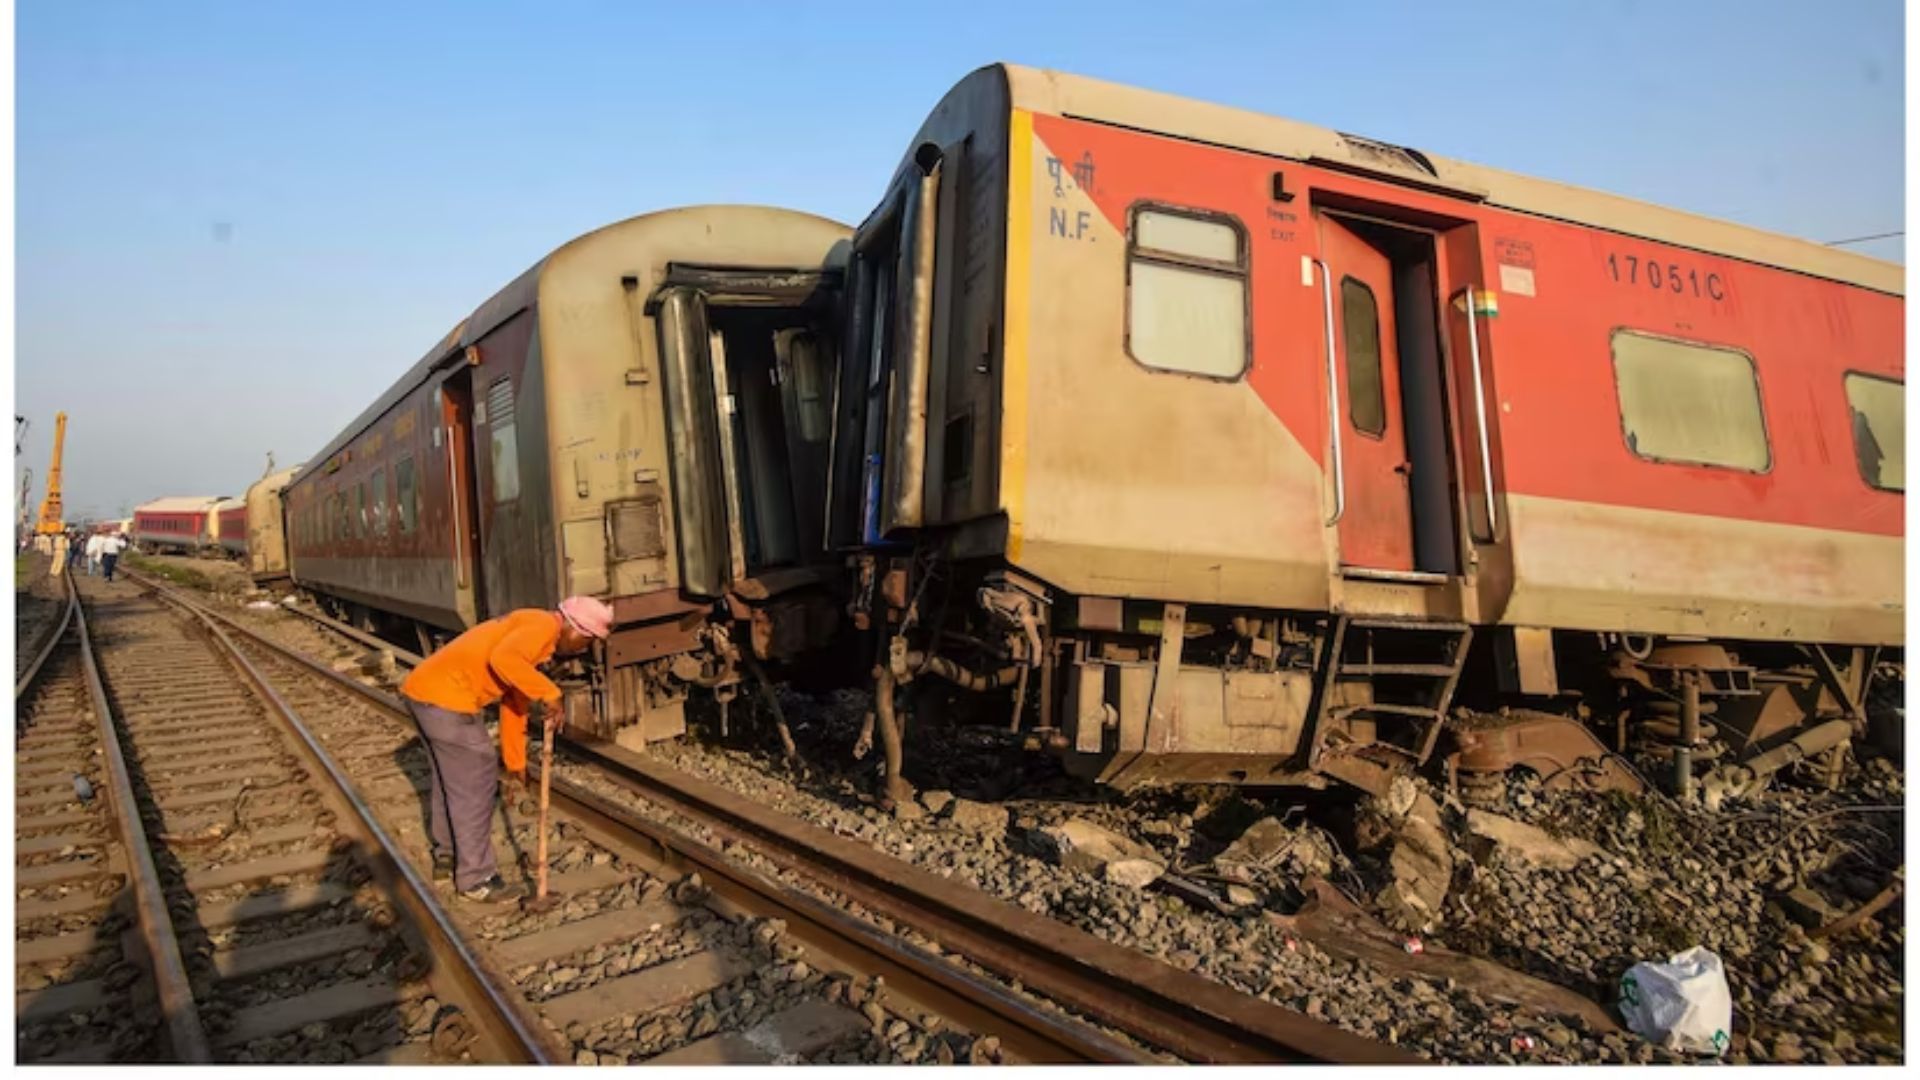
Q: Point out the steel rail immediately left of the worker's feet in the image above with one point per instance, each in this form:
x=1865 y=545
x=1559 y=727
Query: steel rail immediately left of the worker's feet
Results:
x=504 y=1019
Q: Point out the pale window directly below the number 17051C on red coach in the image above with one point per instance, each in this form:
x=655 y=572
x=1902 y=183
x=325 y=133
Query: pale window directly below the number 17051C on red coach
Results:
x=1691 y=403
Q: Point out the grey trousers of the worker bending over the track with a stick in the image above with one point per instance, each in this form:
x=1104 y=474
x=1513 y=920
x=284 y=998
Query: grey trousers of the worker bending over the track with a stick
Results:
x=466 y=787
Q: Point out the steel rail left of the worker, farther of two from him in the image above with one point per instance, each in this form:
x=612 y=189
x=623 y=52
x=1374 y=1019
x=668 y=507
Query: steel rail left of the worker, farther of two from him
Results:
x=185 y=1033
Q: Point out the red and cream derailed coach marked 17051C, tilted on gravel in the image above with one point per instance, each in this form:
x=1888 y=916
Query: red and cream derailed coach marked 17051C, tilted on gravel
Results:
x=1226 y=449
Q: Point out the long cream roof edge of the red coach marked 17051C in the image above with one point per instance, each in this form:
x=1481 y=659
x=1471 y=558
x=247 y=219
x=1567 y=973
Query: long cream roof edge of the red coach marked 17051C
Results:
x=1184 y=118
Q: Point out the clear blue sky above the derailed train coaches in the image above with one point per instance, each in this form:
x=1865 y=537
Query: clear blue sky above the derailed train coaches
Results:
x=237 y=224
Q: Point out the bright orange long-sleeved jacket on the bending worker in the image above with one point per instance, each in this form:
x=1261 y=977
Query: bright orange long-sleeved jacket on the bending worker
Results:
x=494 y=662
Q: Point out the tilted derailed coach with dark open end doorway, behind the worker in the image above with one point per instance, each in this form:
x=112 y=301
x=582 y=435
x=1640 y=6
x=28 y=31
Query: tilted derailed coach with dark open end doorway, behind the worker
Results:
x=642 y=416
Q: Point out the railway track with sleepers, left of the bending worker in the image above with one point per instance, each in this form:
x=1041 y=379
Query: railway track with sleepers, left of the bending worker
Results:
x=191 y=881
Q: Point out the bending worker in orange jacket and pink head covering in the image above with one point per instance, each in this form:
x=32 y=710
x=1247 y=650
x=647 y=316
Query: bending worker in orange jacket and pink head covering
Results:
x=498 y=662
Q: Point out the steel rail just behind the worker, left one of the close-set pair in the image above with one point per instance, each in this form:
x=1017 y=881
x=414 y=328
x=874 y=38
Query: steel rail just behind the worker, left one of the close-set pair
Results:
x=1026 y=1031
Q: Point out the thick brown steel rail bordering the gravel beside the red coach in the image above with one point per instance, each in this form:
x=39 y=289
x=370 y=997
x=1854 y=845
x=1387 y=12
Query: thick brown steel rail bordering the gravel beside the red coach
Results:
x=1145 y=998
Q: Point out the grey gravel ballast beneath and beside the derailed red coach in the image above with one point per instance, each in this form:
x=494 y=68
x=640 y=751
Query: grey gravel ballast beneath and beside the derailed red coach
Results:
x=1669 y=879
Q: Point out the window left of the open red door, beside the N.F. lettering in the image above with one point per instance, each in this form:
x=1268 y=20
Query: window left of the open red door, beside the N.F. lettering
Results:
x=1188 y=293
